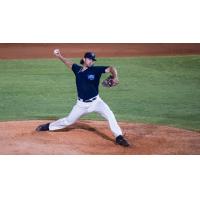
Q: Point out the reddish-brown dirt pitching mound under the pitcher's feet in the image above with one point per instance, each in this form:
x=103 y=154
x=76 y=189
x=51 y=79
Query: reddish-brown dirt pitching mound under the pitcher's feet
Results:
x=92 y=137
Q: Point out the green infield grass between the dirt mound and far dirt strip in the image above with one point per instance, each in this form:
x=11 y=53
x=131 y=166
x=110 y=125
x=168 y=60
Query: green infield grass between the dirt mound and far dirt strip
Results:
x=158 y=90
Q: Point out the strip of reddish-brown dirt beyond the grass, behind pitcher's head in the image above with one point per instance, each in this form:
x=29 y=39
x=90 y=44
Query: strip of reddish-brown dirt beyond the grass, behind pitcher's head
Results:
x=42 y=50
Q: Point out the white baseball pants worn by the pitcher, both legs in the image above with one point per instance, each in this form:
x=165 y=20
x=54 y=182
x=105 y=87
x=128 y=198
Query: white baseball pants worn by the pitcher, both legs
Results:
x=82 y=108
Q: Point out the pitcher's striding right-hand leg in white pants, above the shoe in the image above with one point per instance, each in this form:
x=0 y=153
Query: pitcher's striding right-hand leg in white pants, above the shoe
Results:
x=103 y=109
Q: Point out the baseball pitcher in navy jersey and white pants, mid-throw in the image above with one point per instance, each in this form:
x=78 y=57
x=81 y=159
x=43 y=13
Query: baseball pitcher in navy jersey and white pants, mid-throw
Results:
x=88 y=100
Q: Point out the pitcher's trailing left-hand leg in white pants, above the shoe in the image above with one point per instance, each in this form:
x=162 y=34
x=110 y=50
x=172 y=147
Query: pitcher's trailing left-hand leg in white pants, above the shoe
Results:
x=74 y=115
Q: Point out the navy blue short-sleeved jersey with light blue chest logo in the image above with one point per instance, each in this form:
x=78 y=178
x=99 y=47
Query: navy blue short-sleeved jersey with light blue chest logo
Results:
x=87 y=82
